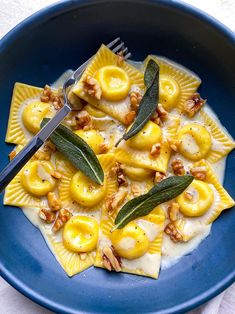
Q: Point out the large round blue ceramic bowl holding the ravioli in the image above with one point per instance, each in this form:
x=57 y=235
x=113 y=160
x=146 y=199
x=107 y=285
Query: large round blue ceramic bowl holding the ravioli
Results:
x=62 y=36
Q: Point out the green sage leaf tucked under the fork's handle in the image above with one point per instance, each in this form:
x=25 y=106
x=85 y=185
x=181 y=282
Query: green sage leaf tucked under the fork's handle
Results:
x=77 y=151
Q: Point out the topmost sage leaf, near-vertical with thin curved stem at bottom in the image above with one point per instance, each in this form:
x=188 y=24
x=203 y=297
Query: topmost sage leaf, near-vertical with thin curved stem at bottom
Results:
x=149 y=101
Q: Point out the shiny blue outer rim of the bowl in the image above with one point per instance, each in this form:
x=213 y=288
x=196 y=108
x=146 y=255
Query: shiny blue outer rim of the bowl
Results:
x=64 y=6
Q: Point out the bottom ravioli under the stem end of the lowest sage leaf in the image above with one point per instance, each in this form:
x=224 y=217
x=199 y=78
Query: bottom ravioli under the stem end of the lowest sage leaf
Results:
x=139 y=243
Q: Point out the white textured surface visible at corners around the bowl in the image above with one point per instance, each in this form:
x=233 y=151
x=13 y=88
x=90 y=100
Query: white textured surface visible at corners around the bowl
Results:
x=11 y=13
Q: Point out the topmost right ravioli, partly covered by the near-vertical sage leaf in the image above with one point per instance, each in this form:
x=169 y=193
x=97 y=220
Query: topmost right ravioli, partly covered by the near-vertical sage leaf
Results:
x=176 y=84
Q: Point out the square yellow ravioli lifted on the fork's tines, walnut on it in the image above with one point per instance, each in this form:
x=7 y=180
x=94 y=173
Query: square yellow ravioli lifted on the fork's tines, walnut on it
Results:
x=109 y=73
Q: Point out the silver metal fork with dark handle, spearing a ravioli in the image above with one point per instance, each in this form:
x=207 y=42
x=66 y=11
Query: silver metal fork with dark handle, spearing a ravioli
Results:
x=11 y=170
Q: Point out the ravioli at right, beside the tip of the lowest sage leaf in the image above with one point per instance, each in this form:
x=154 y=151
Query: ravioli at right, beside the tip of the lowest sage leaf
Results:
x=206 y=205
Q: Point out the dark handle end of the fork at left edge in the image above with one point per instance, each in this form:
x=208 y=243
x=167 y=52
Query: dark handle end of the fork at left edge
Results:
x=11 y=170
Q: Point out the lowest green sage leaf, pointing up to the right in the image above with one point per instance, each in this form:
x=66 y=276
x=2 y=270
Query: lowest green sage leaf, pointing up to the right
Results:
x=142 y=205
